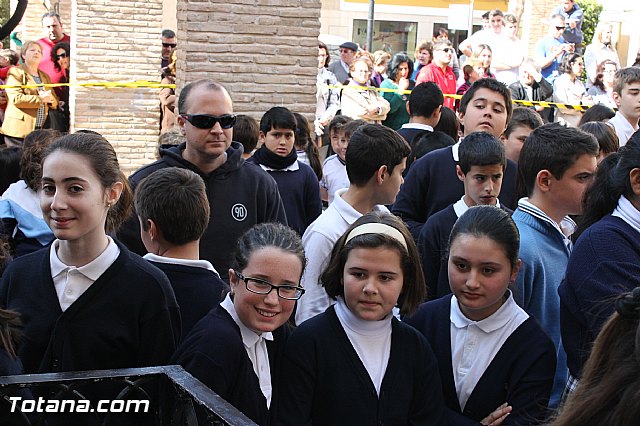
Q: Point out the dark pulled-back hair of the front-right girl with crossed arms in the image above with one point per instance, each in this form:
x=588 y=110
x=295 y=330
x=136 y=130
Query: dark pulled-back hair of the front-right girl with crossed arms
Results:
x=491 y=222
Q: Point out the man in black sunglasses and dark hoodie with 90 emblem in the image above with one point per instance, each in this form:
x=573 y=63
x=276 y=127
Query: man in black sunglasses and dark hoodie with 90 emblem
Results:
x=240 y=194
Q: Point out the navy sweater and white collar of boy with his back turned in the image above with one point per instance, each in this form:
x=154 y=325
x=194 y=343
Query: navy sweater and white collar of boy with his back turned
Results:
x=196 y=284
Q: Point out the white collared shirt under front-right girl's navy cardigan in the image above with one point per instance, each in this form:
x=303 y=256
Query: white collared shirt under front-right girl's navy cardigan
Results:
x=474 y=344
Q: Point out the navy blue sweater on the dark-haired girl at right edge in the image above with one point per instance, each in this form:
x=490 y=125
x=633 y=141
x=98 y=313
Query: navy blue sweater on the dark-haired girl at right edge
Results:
x=605 y=262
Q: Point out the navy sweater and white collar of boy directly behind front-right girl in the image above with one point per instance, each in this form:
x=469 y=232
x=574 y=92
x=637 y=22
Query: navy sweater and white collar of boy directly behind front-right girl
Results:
x=433 y=242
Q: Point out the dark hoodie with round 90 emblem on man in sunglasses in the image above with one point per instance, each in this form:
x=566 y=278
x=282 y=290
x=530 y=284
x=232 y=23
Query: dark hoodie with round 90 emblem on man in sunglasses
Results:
x=240 y=195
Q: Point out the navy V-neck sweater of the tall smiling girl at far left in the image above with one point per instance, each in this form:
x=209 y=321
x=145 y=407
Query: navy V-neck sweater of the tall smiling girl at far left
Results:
x=127 y=318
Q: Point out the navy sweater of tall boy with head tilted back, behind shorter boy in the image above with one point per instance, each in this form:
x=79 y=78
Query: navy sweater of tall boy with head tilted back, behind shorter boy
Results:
x=432 y=185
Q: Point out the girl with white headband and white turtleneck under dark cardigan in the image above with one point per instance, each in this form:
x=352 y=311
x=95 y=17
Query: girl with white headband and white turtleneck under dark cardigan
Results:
x=356 y=363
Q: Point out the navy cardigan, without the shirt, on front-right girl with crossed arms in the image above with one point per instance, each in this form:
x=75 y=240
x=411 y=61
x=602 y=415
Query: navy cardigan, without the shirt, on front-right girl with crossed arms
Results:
x=521 y=372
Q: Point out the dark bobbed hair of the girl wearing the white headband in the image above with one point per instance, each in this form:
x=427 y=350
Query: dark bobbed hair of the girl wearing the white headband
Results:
x=414 y=289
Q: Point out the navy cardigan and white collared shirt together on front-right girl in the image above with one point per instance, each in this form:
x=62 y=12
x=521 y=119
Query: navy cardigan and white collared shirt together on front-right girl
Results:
x=520 y=373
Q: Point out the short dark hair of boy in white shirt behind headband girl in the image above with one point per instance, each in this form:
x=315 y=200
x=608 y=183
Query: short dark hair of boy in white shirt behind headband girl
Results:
x=371 y=147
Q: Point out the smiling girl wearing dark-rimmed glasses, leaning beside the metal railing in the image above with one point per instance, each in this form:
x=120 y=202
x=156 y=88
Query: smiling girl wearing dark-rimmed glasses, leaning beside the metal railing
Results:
x=235 y=349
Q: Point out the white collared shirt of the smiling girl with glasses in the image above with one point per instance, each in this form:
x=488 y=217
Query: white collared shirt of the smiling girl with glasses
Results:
x=256 y=348
